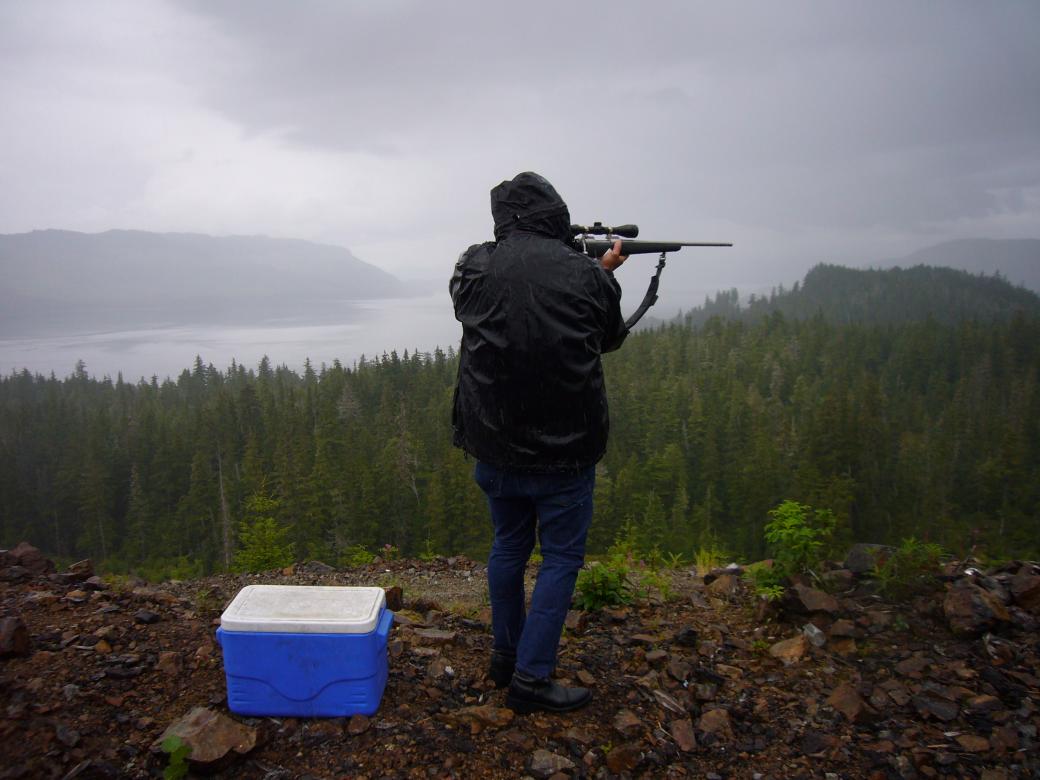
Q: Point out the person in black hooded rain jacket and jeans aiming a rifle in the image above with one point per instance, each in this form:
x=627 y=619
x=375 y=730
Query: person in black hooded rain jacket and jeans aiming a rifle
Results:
x=531 y=407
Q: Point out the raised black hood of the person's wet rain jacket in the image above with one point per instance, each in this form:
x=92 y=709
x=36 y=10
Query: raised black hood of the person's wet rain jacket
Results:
x=529 y=203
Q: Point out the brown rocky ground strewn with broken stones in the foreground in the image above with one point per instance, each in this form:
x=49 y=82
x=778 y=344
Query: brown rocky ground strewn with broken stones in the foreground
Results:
x=711 y=684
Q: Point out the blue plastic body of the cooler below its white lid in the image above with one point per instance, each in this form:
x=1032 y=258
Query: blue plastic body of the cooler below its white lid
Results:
x=306 y=675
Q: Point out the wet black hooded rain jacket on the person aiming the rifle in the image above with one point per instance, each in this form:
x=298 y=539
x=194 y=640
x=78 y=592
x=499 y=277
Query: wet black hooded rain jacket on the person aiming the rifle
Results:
x=537 y=315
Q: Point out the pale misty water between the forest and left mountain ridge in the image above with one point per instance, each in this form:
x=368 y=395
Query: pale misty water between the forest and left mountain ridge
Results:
x=369 y=328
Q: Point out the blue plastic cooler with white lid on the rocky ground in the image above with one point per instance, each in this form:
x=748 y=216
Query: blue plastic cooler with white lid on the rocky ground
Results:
x=305 y=652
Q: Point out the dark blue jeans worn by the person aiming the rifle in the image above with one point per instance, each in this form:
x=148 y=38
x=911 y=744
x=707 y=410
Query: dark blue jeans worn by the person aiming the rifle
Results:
x=559 y=507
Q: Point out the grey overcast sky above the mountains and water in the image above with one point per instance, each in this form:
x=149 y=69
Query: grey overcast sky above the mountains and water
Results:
x=802 y=132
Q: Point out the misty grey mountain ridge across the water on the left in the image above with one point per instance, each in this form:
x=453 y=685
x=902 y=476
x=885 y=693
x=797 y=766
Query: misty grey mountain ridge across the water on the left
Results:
x=64 y=279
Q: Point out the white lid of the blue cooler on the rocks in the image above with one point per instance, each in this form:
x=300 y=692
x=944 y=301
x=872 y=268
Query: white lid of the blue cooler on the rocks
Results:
x=305 y=610
